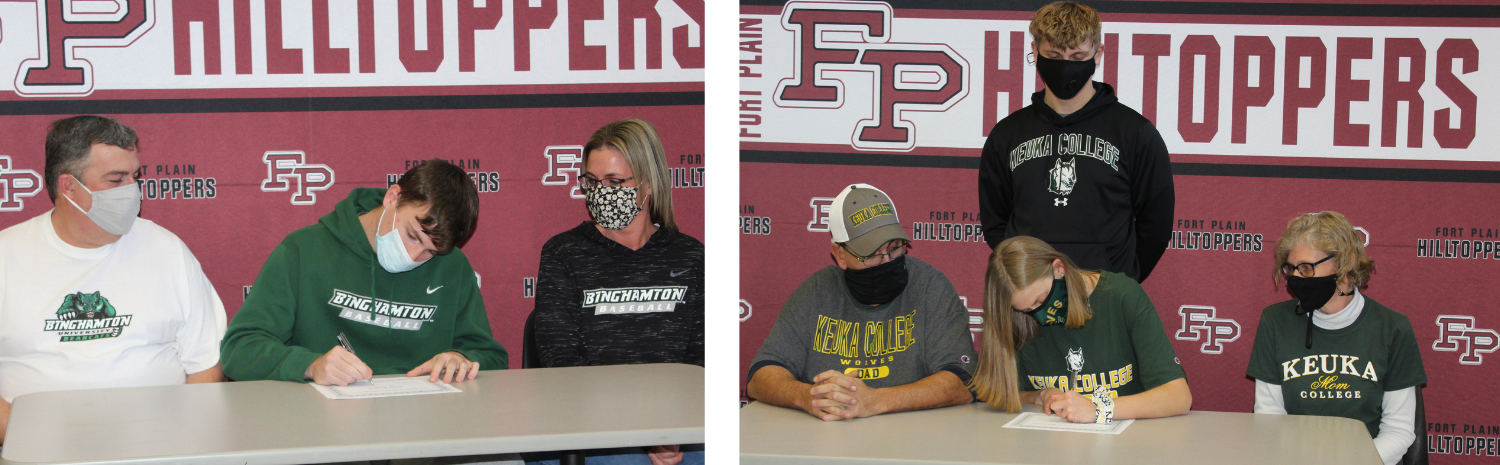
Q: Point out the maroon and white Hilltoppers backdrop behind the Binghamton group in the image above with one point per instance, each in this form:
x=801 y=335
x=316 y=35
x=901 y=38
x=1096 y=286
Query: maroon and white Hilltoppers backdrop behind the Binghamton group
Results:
x=257 y=118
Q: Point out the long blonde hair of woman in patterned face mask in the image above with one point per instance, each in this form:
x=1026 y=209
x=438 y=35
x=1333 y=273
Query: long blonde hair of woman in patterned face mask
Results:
x=640 y=145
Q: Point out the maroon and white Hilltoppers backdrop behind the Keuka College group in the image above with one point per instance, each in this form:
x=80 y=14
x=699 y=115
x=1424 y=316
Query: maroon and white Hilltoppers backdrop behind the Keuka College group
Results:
x=1270 y=110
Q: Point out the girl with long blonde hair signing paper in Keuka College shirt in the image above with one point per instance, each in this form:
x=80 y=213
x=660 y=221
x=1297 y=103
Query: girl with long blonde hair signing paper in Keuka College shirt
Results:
x=1084 y=346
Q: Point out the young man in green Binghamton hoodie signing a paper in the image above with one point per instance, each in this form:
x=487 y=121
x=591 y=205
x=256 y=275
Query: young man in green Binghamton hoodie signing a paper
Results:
x=383 y=269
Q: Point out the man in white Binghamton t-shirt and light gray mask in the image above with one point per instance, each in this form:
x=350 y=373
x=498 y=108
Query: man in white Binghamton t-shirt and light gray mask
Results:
x=91 y=295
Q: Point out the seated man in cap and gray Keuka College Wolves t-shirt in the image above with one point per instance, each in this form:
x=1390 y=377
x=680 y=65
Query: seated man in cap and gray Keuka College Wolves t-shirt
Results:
x=878 y=332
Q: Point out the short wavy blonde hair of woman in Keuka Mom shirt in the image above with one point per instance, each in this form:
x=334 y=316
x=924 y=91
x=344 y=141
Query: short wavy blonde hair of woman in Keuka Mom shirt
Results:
x=1331 y=233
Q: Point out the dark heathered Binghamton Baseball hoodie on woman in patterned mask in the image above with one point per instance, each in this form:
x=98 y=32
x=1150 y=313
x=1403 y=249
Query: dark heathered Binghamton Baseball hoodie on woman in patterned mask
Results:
x=604 y=304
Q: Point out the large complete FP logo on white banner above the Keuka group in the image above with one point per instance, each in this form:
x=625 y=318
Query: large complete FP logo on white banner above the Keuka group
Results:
x=905 y=77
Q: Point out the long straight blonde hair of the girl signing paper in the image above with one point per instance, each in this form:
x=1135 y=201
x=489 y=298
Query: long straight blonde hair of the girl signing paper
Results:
x=1015 y=265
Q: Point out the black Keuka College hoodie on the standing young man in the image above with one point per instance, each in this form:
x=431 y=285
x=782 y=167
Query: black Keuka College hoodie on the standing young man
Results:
x=1096 y=185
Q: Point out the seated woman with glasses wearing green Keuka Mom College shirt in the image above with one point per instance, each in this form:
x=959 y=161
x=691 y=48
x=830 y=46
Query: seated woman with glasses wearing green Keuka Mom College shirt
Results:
x=1334 y=352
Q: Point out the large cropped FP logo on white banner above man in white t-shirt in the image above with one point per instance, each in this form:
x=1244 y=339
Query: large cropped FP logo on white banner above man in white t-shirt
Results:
x=62 y=28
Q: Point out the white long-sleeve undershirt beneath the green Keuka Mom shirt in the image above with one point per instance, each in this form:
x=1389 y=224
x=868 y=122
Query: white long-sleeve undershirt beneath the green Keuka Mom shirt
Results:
x=1397 y=409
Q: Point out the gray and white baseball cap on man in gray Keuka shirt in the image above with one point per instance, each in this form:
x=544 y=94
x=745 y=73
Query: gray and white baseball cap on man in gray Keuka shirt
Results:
x=865 y=220
